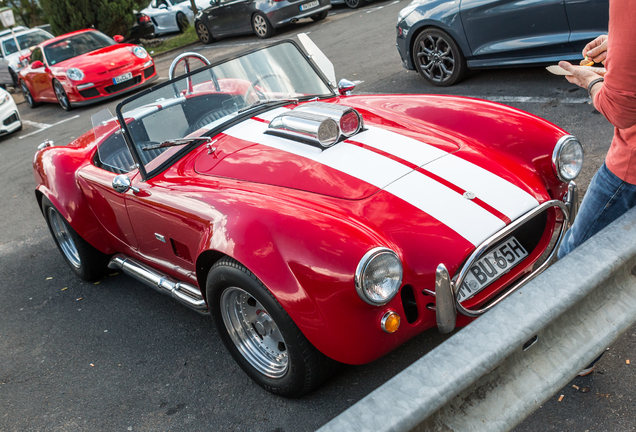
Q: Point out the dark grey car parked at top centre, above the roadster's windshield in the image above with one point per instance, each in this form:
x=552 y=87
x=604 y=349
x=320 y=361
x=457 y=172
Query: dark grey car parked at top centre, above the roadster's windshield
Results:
x=262 y=17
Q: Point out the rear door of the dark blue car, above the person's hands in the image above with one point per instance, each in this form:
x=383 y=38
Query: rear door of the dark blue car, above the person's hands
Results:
x=588 y=19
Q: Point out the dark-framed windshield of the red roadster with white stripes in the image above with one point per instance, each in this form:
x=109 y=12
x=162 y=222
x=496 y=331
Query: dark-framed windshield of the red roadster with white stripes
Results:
x=212 y=98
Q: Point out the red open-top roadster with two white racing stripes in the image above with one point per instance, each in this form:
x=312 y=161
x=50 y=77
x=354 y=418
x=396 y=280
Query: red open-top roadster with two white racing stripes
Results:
x=316 y=228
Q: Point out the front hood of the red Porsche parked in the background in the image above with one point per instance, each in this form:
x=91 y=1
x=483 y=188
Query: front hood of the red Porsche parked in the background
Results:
x=102 y=60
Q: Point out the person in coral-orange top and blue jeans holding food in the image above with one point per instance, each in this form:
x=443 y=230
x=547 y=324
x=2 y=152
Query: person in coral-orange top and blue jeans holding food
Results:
x=612 y=191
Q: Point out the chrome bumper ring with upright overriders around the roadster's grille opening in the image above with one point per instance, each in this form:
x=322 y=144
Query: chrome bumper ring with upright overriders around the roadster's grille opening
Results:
x=446 y=304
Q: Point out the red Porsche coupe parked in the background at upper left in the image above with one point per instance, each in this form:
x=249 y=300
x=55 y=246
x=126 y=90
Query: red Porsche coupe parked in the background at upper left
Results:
x=82 y=67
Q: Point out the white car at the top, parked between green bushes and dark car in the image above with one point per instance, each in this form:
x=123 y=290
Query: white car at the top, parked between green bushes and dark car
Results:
x=172 y=15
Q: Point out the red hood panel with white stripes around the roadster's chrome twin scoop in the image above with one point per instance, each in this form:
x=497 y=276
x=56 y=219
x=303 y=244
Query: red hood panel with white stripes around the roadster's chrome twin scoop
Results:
x=352 y=169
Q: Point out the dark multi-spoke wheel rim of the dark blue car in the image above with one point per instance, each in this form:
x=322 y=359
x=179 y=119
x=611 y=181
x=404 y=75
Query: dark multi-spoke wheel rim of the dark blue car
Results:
x=435 y=57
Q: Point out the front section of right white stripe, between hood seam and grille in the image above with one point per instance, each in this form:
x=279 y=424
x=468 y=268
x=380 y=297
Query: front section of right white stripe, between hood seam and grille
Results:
x=490 y=188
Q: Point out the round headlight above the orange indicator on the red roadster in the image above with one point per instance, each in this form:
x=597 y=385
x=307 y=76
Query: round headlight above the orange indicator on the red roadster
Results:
x=378 y=276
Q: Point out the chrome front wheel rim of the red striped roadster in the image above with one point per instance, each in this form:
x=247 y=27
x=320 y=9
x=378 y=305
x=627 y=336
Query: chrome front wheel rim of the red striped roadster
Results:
x=254 y=332
